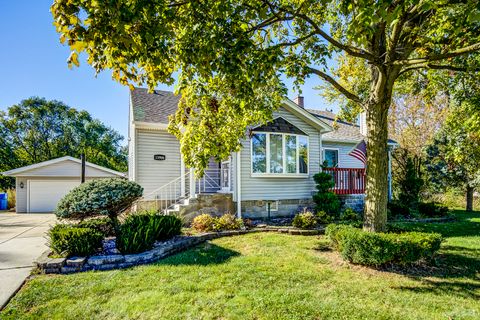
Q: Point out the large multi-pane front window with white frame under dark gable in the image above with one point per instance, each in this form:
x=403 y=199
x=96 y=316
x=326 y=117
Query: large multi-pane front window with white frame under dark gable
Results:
x=279 y=153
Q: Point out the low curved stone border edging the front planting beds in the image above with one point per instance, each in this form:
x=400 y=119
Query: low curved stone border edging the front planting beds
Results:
x=47 y=265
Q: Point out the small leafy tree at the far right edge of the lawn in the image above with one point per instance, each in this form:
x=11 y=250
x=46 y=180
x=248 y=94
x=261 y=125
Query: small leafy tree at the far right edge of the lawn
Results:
x=453 y=157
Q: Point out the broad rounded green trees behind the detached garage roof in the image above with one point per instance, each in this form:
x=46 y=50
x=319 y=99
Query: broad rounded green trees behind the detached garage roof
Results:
x=37 y=130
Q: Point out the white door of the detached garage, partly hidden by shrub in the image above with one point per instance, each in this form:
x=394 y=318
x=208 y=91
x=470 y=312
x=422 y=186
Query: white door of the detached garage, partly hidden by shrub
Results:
x=44 y=195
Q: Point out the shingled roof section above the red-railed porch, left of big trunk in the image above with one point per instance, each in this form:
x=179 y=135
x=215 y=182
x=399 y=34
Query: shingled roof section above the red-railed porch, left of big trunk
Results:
x=342 y=131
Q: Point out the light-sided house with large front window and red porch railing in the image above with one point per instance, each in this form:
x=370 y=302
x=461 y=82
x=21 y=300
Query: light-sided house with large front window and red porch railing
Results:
x=271 y=175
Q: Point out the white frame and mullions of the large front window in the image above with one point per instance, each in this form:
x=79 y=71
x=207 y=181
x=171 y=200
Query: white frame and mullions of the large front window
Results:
x=284 y=174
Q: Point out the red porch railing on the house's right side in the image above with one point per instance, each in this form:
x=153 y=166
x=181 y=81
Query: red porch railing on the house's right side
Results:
x=348 y=180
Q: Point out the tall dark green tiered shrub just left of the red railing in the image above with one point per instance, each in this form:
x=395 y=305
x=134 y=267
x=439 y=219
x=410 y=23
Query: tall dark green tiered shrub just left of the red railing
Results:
x=325 y=199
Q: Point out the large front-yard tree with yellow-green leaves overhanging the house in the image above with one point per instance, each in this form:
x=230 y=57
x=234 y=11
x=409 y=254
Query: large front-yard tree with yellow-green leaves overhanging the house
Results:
x=229 y=56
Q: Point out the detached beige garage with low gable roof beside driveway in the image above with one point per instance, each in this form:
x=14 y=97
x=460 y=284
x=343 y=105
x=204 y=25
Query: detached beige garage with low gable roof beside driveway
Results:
x=40 y=186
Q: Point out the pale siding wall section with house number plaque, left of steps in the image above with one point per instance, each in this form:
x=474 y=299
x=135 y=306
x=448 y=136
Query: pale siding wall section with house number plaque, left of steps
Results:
x=152 y=174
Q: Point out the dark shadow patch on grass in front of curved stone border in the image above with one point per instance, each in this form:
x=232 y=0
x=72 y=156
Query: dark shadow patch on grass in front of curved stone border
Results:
x=202 y=255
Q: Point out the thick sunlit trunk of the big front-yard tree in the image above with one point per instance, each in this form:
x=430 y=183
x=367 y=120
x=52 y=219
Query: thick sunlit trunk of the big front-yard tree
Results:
x=375 y=217
